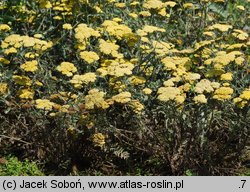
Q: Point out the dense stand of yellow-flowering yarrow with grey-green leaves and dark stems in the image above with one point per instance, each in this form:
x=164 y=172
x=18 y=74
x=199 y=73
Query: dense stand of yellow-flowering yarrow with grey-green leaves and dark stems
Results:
x=157 y=80
